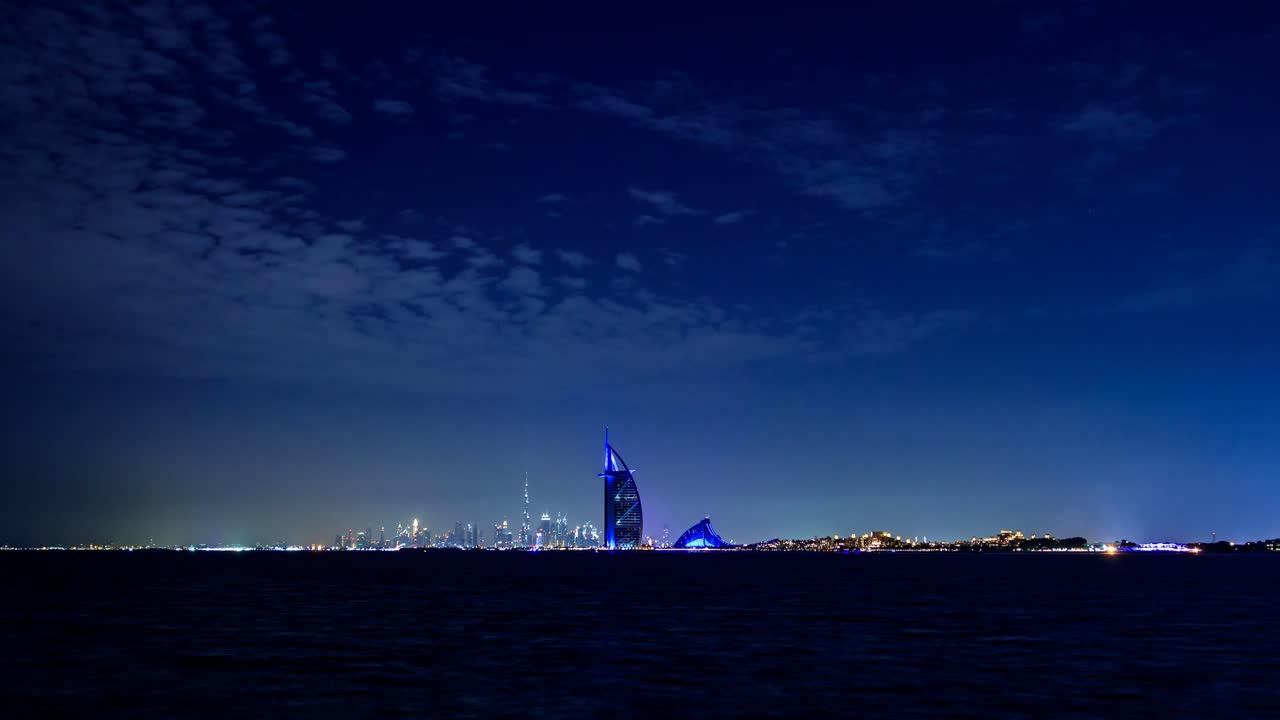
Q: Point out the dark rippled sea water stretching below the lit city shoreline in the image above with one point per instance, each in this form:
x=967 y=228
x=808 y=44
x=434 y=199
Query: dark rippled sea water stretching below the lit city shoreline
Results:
x=587 y=636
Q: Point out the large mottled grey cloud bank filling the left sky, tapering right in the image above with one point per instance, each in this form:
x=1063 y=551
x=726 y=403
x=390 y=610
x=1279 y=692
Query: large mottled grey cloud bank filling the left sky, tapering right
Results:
x=162 y=250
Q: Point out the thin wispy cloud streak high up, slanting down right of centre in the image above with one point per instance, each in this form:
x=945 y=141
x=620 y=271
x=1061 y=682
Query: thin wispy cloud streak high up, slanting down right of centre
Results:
x=867 y=160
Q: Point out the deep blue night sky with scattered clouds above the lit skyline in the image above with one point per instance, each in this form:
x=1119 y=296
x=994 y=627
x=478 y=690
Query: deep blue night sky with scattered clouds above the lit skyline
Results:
x=276 y=271
